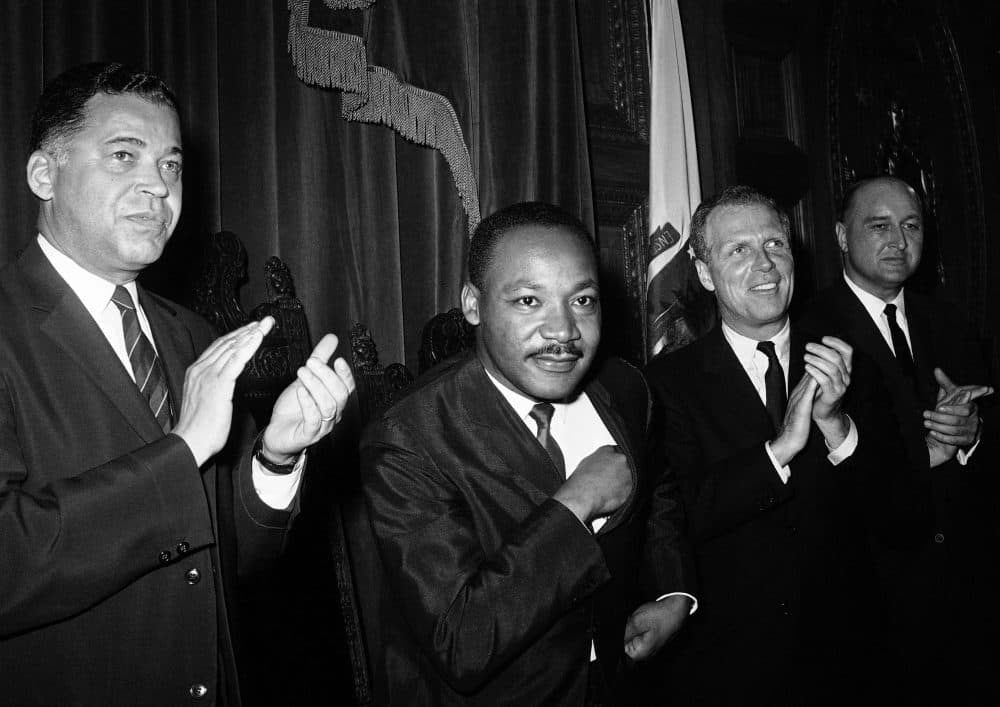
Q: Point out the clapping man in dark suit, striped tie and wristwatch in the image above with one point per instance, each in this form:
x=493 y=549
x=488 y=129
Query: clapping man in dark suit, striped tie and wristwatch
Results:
x=115 y=406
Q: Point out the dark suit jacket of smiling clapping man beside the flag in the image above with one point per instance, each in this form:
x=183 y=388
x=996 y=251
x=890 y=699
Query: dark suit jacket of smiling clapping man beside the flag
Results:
x=783 y=568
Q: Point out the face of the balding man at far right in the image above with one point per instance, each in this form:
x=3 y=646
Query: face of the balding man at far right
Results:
x=882 y=237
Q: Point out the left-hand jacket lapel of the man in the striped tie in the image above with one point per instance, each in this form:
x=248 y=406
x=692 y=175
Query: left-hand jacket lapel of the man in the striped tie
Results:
x=67 y=323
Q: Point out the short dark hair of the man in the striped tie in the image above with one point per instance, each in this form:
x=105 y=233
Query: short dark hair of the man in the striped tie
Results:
x=60 y=112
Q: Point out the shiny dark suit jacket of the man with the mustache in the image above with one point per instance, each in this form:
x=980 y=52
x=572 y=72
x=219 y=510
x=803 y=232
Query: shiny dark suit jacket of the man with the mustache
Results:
x=494 y=590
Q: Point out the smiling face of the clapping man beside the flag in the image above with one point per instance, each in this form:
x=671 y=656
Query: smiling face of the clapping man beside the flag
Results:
x=750 y=269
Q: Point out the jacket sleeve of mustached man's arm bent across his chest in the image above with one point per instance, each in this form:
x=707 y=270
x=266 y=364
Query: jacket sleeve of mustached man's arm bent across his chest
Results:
x=470 y=612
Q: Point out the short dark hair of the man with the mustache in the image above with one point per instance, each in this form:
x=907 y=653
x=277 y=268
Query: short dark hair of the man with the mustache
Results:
x=492 y=229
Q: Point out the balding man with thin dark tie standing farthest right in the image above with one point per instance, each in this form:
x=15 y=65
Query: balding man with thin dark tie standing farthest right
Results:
x=940 y=585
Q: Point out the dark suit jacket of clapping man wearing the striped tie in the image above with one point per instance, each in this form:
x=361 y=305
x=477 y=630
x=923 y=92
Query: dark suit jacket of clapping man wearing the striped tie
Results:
x=111 y=587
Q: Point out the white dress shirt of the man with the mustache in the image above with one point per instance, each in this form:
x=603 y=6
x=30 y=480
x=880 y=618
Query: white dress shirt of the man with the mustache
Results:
x=579 y=431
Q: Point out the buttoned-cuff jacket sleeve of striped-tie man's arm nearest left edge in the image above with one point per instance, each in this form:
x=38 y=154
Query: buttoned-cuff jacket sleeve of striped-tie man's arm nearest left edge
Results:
x=74 y=541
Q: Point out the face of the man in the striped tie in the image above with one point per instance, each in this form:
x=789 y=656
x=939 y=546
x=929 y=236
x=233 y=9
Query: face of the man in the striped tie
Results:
x=112 y=198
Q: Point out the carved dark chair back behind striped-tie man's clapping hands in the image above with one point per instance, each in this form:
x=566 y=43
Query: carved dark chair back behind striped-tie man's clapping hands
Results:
x=284 y=349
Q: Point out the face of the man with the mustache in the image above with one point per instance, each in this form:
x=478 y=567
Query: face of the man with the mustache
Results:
x=539 y=315
